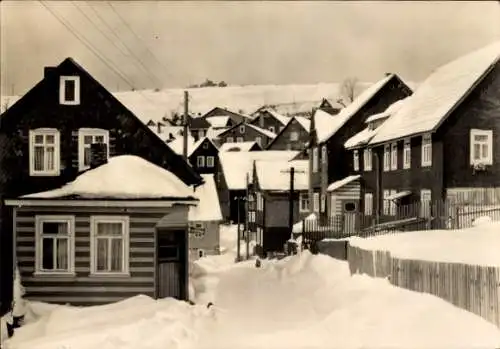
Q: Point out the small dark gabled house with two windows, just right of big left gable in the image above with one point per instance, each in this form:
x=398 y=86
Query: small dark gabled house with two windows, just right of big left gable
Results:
x=204 y=156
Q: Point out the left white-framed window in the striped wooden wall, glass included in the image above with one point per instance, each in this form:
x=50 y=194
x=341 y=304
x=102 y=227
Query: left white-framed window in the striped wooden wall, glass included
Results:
x=55 y=240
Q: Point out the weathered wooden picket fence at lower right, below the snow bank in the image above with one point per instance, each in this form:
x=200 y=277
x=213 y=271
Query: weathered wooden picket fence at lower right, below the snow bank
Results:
x=471 y=287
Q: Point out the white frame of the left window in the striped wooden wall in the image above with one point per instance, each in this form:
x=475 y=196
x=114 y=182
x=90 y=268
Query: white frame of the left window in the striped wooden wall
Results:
x=70 y=221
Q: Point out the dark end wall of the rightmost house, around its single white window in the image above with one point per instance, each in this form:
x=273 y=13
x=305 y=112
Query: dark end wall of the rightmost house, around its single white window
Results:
x=480 y=110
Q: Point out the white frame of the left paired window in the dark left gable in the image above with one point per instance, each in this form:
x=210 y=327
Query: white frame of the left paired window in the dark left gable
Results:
x=57 y=151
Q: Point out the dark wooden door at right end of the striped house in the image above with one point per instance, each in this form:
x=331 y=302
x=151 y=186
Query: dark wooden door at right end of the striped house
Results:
x=171 y=264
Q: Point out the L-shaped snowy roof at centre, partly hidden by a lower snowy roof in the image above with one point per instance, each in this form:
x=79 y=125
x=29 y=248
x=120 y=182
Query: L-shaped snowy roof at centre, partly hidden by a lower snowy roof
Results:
x=236 y=165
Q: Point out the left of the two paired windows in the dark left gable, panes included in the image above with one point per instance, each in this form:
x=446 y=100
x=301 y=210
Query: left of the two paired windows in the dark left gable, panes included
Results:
x=44 y=152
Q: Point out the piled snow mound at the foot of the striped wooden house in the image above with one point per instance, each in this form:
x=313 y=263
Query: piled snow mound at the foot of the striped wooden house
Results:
x=138 y=322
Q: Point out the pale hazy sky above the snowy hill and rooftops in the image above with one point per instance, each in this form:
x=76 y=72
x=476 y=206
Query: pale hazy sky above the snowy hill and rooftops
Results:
x=153 y=44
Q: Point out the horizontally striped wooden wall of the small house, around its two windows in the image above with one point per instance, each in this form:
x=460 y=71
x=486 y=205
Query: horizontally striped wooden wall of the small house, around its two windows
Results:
x=84 y=289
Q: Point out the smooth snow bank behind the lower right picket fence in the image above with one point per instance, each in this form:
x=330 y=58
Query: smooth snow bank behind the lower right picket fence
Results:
x=477 y=245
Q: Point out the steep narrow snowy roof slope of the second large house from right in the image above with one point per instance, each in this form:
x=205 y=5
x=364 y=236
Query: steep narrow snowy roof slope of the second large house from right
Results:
x=346 y=113
